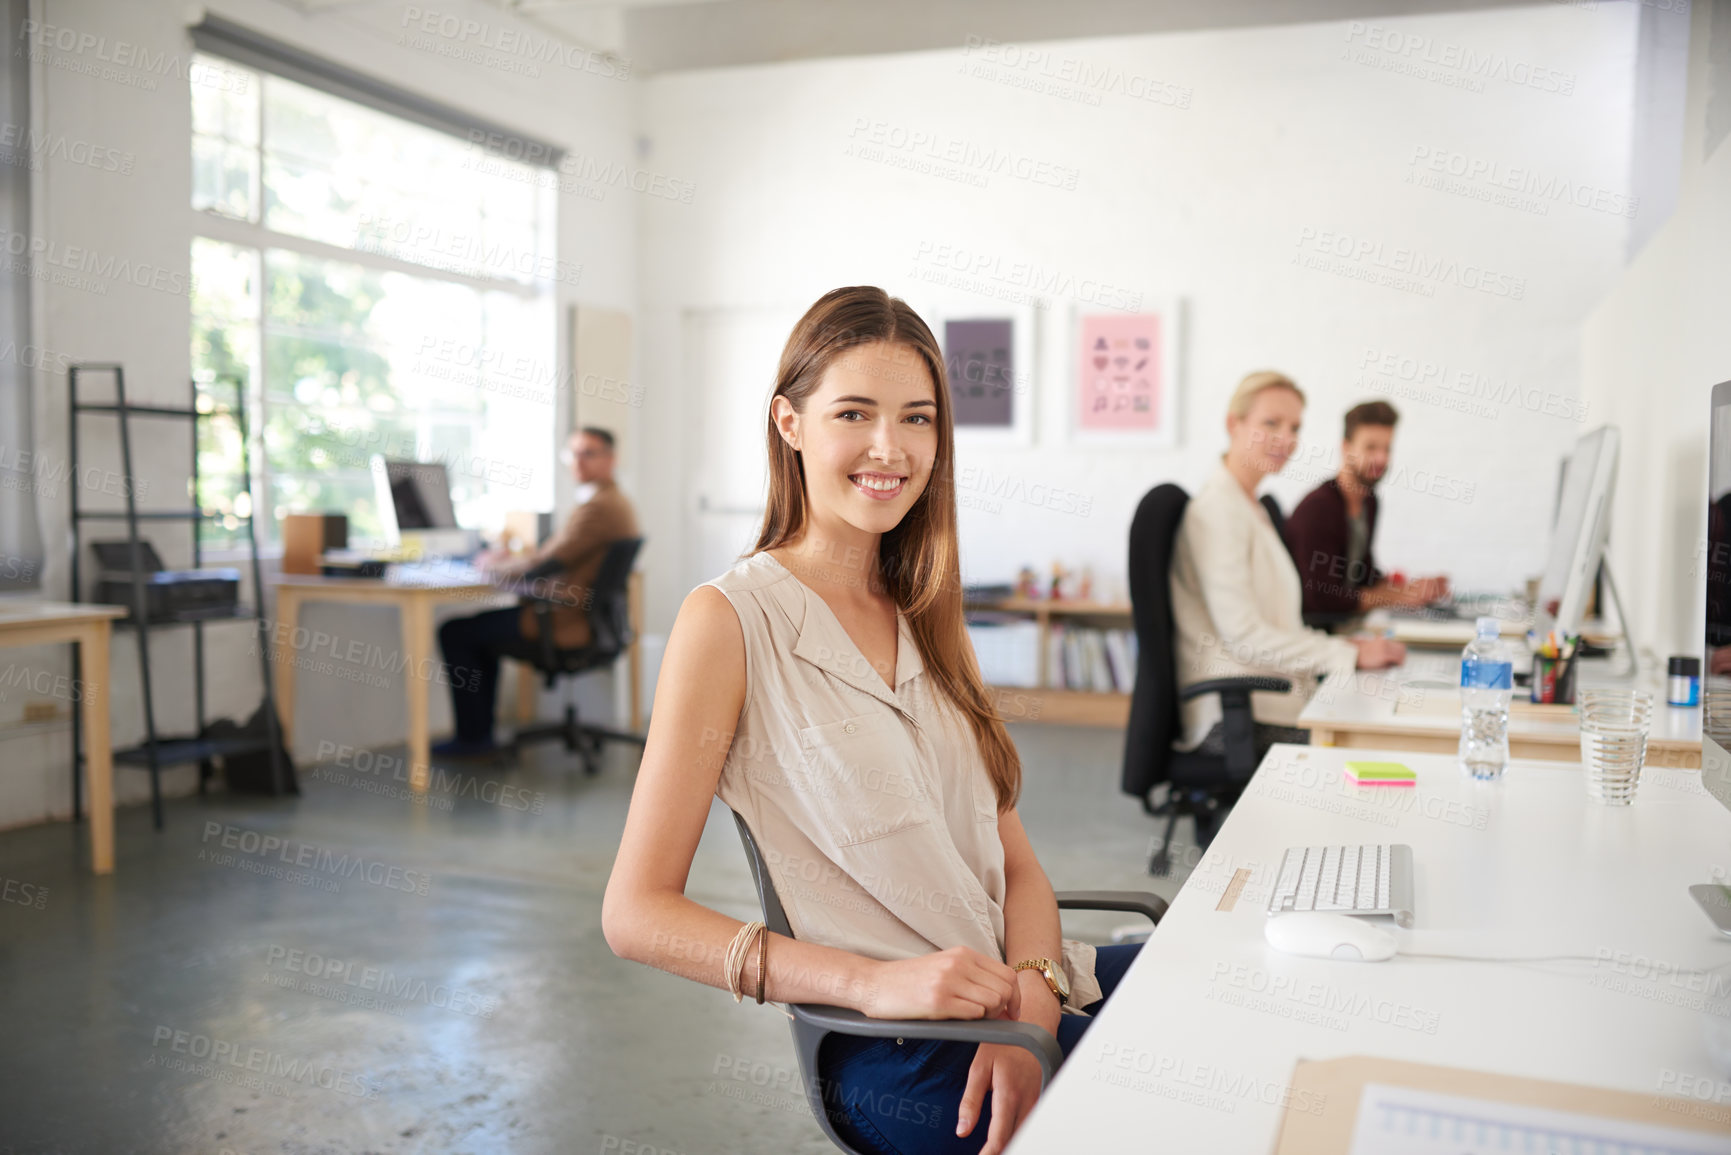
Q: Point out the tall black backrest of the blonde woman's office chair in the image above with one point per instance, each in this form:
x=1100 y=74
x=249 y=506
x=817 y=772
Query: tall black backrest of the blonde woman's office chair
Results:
x=1155 y=699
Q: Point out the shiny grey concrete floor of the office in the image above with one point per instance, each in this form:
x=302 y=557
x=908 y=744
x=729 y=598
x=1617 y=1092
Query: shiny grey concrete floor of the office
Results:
x=216 y=998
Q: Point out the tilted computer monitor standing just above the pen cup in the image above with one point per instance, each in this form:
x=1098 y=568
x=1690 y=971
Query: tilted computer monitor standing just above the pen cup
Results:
x=1578 y=536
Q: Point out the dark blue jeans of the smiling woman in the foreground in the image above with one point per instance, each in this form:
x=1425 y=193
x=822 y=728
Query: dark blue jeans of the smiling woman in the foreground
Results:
x=901 y=1099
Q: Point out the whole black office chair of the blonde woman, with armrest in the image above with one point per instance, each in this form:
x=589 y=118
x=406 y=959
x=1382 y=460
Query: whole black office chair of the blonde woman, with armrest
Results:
x=1199 y=785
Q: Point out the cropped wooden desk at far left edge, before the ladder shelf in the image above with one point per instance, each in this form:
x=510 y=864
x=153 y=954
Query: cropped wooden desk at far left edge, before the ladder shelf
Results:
x=87 y=628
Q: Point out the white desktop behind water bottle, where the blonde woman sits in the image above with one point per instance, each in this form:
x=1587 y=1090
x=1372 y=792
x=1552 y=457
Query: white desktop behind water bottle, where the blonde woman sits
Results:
x=1424 y=695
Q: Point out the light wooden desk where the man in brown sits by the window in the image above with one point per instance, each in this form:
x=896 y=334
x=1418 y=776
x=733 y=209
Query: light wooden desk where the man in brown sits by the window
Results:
x=415 y=605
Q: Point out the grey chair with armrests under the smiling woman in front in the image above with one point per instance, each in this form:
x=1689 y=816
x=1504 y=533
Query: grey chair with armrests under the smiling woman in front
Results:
x=813 y=1024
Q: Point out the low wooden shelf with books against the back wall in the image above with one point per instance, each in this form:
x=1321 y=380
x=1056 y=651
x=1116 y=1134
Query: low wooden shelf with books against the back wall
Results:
x=1062 y=662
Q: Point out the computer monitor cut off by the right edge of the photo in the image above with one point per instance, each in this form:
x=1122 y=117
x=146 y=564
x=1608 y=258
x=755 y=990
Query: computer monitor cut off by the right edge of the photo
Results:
x=1716 y=669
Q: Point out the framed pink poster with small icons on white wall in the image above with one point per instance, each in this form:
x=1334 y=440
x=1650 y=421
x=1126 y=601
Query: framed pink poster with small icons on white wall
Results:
x=1126 y=378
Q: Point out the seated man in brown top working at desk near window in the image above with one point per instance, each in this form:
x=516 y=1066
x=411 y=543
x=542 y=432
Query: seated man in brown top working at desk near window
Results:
x=473 y=645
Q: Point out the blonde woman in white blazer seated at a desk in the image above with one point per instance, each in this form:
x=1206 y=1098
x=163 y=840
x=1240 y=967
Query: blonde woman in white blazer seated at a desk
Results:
x=1237 y=597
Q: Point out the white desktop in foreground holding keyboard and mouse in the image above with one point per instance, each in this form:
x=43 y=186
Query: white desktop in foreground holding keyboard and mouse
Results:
x=1197 y=1047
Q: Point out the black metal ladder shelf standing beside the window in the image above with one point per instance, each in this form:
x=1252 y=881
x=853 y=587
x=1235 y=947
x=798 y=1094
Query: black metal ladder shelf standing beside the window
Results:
x=157 y=752
